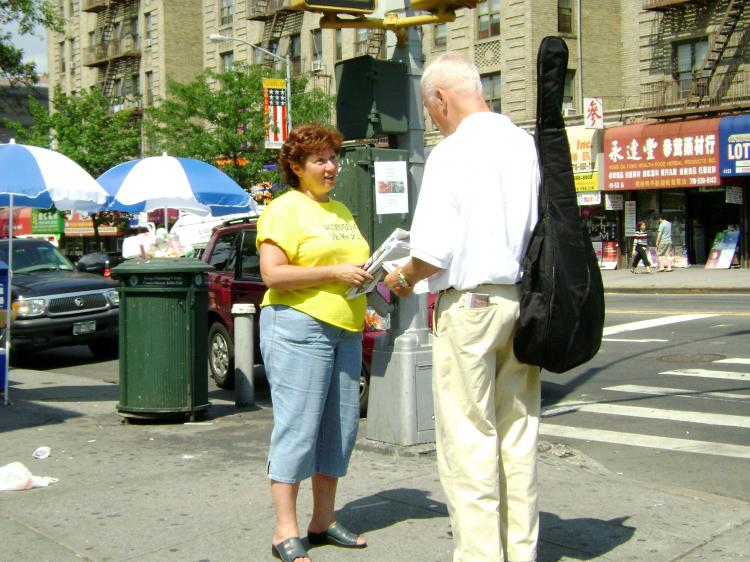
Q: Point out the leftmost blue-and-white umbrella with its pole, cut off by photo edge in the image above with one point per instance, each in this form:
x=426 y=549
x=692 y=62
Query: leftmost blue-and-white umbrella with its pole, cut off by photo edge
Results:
x=31 y=176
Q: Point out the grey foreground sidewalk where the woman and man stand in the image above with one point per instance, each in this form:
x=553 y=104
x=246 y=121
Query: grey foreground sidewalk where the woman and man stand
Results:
x=189 y=492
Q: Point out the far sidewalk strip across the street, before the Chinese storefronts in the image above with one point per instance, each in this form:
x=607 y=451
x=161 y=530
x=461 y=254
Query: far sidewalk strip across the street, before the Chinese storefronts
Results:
x=693 y=279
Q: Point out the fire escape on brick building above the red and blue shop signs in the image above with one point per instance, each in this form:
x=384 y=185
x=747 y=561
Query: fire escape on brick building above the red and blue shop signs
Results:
x=716 y=82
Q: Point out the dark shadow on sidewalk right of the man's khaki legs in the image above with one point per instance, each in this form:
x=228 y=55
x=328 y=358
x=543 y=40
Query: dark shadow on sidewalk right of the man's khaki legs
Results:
x=582 y=538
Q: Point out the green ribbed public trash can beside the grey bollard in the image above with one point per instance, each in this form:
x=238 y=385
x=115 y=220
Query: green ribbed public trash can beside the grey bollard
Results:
x=163 y=337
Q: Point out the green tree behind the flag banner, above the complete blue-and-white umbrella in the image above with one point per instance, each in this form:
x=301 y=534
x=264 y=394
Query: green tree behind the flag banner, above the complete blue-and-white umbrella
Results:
x=218 y=117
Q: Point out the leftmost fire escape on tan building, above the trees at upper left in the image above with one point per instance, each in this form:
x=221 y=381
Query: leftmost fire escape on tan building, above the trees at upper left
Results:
x=116 y=52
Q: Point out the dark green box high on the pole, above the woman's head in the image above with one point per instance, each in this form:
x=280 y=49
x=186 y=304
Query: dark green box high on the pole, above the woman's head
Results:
x=370 y=97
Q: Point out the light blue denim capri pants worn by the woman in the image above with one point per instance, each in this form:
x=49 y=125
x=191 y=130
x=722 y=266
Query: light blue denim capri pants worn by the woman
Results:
x=313 y=371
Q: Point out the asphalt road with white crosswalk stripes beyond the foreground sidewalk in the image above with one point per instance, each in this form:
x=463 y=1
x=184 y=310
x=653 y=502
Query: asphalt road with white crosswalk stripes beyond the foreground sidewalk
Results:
x=666 y=403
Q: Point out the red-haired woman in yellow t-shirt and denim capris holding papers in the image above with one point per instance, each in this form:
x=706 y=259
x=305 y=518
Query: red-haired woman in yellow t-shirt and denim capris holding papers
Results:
x=311 y=253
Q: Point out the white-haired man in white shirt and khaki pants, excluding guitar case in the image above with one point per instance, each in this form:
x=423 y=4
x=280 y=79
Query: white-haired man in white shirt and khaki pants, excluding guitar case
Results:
x=469 y=244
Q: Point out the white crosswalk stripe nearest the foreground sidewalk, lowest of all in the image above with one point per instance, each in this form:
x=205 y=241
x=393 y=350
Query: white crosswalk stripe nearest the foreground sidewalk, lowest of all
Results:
x=647 y=441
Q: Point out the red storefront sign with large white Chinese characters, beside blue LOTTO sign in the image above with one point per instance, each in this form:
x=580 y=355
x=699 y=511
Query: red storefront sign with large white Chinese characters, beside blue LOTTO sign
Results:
x=662 y=156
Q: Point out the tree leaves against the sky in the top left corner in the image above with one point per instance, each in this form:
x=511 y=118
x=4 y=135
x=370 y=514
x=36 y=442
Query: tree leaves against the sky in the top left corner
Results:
x=27 y=14
